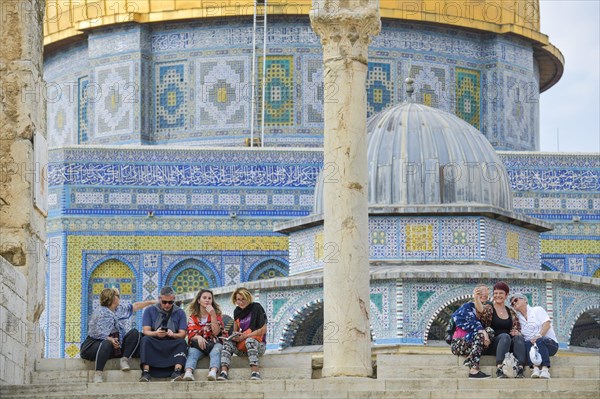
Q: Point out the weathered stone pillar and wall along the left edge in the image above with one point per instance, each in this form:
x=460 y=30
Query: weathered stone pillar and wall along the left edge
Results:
x=22 y=188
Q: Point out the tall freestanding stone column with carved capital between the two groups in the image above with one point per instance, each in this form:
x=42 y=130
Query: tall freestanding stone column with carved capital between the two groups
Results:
x=345 y=28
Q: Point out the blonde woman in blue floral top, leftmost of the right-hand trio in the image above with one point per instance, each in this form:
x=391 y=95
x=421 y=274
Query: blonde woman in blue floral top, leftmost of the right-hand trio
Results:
x=470 y=338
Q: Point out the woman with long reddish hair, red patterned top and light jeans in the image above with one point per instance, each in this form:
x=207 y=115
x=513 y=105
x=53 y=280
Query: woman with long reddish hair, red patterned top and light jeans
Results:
x=205 y=324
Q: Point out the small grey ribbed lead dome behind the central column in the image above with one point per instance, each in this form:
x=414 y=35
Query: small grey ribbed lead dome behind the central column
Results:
x=420 y=155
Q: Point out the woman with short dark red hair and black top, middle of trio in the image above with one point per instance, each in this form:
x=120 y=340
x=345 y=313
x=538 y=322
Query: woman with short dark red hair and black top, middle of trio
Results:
x=504 y=322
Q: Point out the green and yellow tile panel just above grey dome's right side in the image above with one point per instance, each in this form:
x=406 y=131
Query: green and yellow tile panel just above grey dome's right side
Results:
x=468 y=95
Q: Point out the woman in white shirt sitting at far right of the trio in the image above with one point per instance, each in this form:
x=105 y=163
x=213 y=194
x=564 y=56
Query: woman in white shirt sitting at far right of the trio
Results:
x=537 y=330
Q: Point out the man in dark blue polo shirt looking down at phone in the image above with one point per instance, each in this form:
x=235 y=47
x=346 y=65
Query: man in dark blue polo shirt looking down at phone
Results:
x=163 y=348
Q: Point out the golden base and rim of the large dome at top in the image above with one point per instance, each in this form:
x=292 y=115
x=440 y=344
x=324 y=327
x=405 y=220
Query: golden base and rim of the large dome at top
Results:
x=70 y=18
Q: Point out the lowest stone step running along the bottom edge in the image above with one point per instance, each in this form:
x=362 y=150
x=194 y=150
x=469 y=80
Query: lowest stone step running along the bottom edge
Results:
x=355 y=388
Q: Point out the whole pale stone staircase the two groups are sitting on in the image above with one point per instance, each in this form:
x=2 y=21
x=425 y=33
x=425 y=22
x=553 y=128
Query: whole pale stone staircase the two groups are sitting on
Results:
x=402 y=372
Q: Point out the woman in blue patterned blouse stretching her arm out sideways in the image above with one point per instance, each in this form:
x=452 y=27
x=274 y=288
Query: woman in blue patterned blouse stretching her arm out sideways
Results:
x=107 y=335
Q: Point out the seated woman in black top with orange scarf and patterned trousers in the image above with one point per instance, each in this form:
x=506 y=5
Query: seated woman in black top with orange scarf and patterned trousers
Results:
x=250 y=324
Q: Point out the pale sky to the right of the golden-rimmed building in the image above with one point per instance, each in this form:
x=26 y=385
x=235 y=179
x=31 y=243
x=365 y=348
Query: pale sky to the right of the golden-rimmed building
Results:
x=573 y=104
